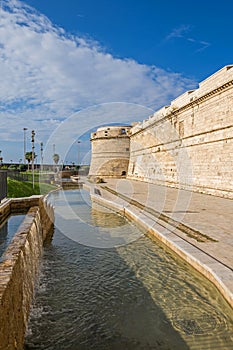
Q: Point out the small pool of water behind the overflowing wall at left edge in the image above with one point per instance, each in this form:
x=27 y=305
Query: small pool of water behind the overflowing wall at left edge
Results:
x=8 y=229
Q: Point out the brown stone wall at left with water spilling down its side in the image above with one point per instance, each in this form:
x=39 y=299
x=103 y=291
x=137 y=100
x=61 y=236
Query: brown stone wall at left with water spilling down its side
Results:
x=18 y=269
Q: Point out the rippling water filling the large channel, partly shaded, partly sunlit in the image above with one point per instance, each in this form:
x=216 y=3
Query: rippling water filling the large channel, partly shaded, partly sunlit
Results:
x=97 y=292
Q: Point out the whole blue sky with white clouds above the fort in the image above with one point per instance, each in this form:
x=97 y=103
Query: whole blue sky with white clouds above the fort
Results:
x=62 y=57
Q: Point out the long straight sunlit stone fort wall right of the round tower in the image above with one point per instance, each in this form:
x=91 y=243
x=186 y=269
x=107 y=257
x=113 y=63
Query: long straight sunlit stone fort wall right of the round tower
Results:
x=189 y=144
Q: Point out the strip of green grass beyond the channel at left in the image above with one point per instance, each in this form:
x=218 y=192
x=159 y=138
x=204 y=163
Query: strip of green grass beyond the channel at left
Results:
x=18 y=189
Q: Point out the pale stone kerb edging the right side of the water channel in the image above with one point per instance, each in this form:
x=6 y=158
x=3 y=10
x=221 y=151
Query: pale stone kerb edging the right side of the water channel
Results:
x=210 y=268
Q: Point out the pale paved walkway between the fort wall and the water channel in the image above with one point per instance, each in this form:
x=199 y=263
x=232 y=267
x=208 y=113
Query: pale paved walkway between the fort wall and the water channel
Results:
x=196 y=226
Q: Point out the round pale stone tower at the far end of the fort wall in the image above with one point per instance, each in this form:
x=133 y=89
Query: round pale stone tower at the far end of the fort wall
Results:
x=110 y=152
